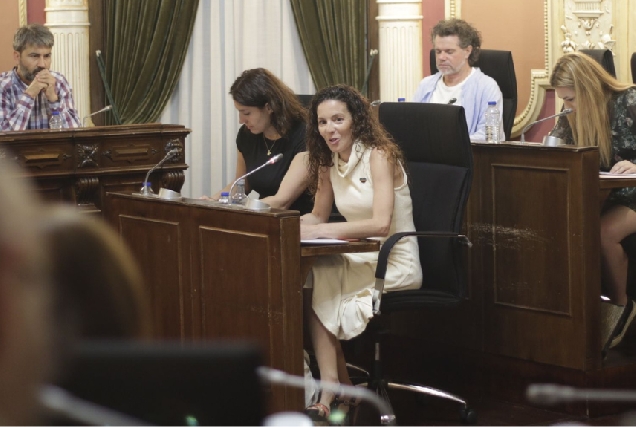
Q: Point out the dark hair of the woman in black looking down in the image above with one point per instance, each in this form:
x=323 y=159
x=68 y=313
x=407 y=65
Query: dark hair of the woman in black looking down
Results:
x=258 y=87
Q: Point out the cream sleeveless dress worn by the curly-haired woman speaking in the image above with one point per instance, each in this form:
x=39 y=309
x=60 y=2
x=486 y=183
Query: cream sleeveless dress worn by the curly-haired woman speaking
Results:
x=343 y=284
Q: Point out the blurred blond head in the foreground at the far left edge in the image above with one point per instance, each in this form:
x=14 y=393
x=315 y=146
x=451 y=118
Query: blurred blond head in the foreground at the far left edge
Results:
x=26 y=328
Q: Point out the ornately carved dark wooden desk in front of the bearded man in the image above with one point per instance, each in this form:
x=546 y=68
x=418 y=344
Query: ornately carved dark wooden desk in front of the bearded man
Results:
x=80 y=165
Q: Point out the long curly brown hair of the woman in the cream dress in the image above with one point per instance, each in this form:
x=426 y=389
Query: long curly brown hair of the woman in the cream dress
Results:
x=366 y=129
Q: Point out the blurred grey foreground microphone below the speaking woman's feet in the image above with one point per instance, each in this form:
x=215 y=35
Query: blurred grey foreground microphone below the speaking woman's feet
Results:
x=275 y=376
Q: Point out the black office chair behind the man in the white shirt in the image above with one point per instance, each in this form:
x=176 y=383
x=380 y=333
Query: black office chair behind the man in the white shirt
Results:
x=497 y=64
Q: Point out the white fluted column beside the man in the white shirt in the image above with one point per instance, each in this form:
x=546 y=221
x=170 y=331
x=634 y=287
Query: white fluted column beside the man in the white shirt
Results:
x=400 y=48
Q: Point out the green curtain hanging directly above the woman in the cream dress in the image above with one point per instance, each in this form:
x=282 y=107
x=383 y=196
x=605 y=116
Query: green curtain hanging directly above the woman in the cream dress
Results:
x=333 y=36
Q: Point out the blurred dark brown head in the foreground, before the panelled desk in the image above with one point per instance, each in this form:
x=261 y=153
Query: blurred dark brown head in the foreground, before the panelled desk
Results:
x=98 y=287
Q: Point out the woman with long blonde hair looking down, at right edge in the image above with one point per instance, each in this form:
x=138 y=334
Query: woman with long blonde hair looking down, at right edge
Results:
x=604 y=116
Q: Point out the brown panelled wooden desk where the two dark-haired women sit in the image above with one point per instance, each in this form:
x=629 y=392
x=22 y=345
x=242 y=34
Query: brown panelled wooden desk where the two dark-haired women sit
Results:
x=216 y=272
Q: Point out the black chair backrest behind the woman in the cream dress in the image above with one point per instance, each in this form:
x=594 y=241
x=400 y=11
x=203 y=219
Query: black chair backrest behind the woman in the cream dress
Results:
x=437 y=149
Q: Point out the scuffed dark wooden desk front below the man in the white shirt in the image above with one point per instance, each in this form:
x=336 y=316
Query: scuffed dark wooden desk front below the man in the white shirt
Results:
x=543 y=264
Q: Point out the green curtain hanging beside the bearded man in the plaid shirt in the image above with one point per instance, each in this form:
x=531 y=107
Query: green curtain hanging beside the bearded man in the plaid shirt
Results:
x=146 y=44
